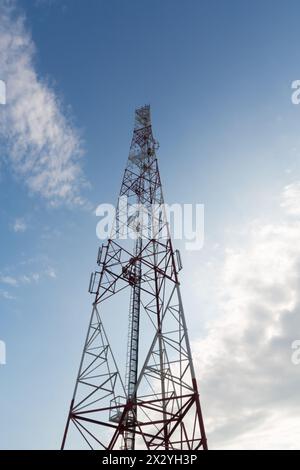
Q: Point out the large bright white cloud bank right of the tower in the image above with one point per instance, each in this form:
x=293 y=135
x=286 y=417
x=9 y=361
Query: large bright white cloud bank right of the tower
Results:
x=250 y=388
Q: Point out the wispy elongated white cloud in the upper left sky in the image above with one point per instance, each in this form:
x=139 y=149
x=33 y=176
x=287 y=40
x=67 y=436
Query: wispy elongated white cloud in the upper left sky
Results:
x=43 y=147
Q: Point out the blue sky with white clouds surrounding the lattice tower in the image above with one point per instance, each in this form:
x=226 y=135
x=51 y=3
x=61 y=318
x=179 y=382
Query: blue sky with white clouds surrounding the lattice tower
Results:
x=218 y=77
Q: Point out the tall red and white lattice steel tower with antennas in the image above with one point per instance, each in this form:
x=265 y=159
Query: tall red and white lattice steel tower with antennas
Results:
x=157 y=406
